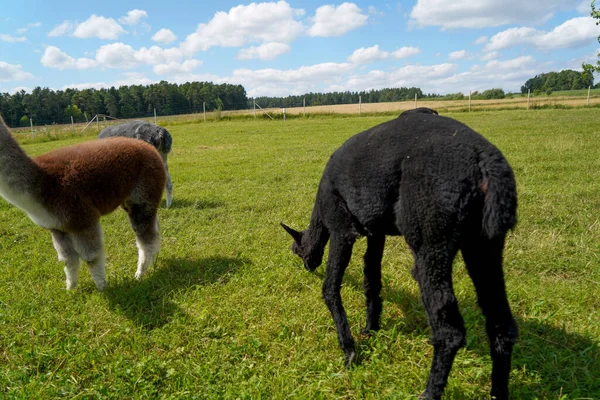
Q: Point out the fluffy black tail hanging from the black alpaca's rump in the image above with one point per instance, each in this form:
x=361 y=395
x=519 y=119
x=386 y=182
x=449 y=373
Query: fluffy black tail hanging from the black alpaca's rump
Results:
x=500 y=201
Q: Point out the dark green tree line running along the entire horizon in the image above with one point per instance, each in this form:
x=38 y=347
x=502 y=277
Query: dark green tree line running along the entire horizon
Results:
x=46 y=106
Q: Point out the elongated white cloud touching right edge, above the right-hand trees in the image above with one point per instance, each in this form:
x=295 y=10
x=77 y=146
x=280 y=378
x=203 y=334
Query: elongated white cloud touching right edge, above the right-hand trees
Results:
x=573 y=33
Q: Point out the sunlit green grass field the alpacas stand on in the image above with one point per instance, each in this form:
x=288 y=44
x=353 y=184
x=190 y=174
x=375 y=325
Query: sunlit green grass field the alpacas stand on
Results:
x=229 y=312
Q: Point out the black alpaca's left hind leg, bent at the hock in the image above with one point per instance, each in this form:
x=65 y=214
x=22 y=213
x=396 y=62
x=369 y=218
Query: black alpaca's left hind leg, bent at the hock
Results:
x=433 y=272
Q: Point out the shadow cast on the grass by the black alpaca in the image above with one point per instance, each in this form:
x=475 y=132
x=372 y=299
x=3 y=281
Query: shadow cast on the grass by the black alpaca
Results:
x=548 y=359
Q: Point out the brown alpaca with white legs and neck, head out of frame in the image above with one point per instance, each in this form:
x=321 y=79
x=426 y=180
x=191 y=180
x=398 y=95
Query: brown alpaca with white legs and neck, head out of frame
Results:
x=67 y=191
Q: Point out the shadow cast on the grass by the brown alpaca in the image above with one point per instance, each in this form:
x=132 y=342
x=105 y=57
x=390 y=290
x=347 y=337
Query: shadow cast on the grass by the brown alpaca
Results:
x=148 y=302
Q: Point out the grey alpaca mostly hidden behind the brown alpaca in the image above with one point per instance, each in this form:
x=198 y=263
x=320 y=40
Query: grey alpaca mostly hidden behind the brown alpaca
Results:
x=156 y=135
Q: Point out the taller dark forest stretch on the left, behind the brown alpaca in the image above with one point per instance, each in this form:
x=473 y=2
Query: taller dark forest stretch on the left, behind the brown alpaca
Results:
x=46 y=106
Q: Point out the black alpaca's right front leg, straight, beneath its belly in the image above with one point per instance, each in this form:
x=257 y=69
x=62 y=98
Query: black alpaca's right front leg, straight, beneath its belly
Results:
x=372 y=282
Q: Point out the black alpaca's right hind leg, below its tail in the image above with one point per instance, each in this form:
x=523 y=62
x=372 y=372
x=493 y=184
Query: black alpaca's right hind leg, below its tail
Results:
x=483 y=259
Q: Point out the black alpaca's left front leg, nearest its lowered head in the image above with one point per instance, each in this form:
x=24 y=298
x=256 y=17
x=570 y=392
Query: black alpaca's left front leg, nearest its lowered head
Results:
x=340 y=251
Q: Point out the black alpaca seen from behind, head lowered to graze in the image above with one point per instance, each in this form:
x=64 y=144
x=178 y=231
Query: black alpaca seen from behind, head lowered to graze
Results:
x=444 y=188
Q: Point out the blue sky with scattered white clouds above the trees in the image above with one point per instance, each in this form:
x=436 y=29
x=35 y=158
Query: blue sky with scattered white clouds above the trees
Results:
x=293 y=47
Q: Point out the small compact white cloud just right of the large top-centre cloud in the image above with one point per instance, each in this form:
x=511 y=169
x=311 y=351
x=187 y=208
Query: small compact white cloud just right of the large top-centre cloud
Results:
x=335 y=21
